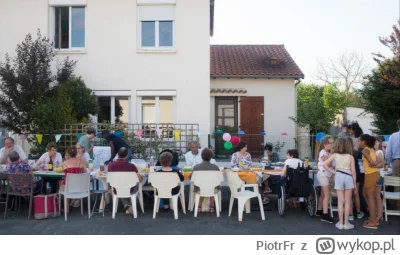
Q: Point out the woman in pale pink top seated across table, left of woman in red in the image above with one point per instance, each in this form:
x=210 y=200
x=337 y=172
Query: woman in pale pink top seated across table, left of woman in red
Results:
x=42 y=164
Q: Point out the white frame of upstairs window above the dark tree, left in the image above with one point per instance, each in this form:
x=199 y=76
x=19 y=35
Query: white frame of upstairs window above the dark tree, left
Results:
x=52 y=29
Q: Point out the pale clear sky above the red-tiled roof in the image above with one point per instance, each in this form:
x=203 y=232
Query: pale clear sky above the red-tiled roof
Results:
x=309 y=29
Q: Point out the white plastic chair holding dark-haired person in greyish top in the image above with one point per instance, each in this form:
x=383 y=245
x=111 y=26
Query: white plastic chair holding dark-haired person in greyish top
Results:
x=207 y=181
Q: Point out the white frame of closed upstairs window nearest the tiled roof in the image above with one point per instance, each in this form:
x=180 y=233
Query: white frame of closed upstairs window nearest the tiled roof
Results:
x=157 y=47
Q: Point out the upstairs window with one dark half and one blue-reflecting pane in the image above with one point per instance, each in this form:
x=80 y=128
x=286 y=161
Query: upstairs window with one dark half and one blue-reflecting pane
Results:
x=69 y=27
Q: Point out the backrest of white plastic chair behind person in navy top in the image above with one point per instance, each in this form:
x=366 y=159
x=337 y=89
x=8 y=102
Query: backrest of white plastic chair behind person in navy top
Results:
x=164 y=183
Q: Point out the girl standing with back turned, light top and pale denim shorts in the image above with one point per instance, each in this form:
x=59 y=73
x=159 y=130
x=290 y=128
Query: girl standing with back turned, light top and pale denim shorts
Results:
x=345 y=179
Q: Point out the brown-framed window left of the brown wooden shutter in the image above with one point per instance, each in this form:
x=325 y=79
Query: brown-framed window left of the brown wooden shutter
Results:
x=226 y=111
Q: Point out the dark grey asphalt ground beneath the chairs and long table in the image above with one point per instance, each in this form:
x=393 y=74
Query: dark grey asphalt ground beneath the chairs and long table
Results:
x=294 y=222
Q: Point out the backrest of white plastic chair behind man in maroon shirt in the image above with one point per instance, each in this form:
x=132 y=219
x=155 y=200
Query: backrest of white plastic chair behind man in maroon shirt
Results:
x=122 y=182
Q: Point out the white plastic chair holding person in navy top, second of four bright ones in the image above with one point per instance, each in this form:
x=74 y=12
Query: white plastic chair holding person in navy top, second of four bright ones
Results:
x=163 y=184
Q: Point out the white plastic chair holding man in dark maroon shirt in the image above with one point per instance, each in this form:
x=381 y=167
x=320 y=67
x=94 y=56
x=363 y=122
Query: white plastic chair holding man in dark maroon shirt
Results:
x=122 y=182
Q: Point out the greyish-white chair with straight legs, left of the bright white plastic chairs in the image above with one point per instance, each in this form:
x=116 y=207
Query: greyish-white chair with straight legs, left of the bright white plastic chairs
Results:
x=77 y=186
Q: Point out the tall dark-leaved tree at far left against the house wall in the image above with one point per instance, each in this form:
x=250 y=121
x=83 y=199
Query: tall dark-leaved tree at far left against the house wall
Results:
x=25 y=79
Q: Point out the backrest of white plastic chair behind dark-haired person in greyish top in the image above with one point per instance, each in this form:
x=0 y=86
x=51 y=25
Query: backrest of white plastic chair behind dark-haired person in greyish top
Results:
x=207 y=181
